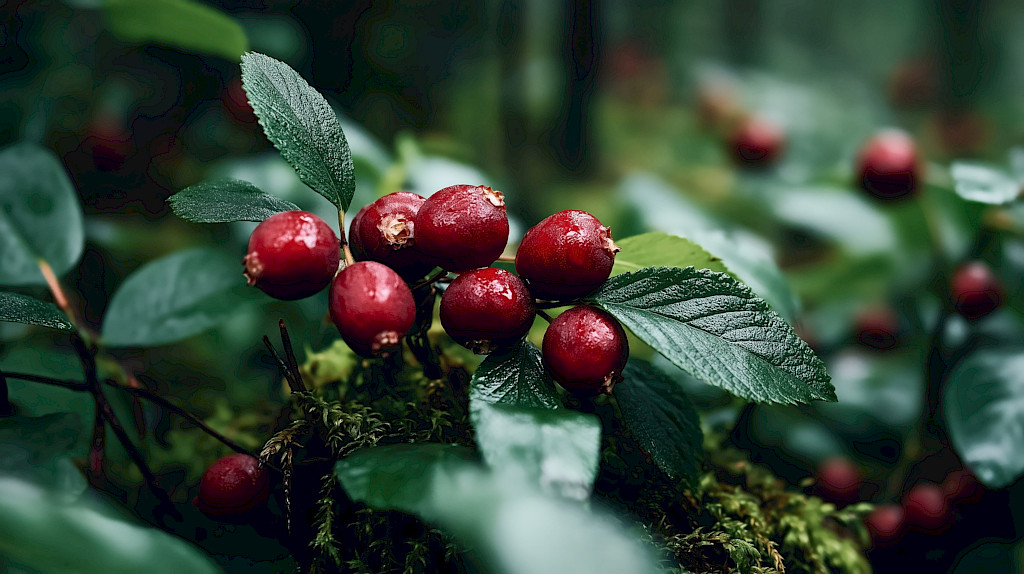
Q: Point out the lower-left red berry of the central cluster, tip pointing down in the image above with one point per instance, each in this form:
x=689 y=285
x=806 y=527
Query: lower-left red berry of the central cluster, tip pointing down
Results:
x=372 y=307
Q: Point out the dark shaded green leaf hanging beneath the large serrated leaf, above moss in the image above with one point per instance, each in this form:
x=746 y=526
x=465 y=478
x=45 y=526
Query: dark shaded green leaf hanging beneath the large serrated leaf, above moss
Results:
x=659 y=414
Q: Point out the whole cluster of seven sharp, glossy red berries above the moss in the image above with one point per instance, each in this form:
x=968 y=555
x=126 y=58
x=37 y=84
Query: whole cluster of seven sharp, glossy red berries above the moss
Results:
x=401 y=238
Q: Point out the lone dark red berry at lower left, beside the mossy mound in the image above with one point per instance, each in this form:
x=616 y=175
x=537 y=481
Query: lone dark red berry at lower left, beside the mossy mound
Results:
x=233 y=485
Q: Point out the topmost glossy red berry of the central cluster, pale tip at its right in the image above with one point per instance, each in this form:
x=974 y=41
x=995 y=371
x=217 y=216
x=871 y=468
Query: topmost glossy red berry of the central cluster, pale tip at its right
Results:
x=462 y=228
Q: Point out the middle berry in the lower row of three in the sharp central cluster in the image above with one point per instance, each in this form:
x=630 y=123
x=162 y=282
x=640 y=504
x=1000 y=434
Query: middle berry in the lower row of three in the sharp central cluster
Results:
x=487 y=310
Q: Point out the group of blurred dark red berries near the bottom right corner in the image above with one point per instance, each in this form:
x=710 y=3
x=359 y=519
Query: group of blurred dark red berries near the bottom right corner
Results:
x=926 y=508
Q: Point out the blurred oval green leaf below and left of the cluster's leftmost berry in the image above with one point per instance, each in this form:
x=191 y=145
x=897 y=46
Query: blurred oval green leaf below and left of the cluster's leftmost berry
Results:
x=173 y=298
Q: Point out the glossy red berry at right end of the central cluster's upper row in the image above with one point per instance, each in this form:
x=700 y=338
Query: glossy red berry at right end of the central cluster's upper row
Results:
x=568 y=255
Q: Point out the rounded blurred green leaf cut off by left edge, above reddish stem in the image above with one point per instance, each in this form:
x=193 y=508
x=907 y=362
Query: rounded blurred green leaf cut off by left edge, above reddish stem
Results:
x=40 y=216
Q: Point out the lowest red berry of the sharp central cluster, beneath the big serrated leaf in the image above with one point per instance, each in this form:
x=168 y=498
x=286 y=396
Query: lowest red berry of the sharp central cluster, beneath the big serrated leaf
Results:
x=585 y=349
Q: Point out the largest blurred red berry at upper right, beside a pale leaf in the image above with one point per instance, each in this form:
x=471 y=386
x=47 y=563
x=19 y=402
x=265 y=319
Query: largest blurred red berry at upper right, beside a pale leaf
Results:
x=888 y=167
